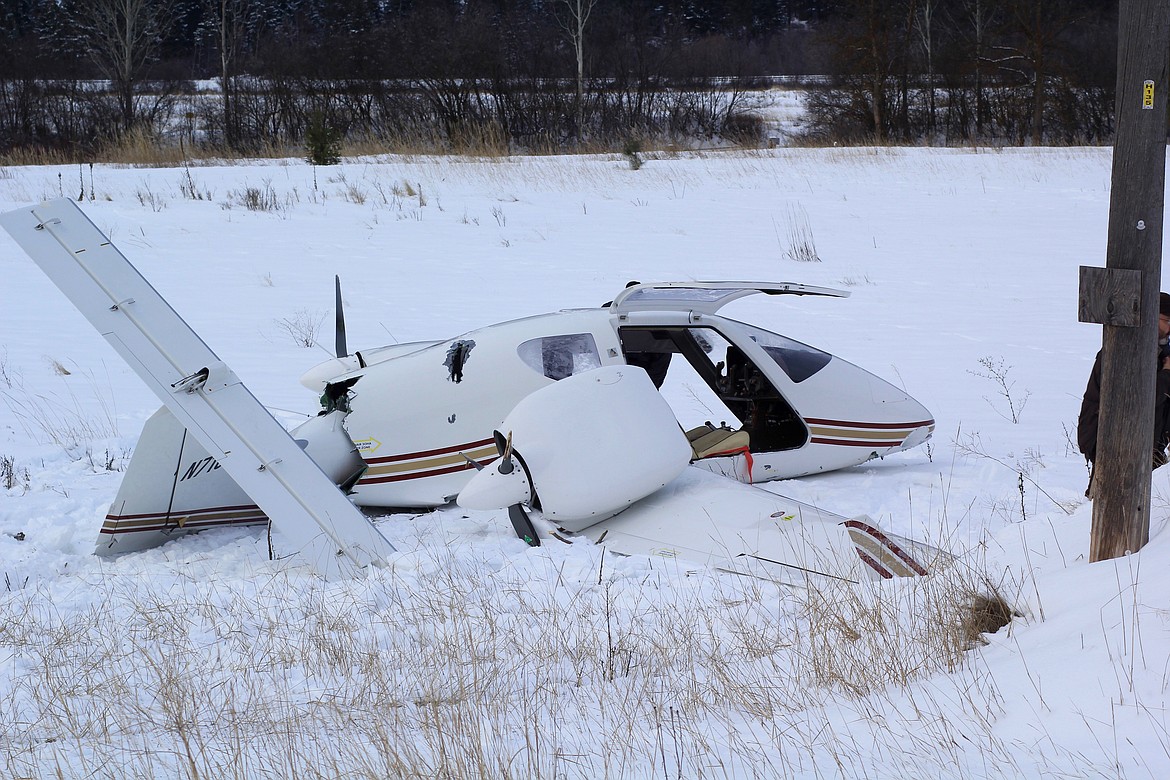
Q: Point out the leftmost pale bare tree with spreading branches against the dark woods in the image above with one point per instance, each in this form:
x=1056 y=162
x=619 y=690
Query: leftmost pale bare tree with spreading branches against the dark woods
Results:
x=122 y=38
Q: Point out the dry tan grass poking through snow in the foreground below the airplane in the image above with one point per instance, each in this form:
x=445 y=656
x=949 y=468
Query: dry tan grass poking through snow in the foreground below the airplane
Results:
x=450 y=668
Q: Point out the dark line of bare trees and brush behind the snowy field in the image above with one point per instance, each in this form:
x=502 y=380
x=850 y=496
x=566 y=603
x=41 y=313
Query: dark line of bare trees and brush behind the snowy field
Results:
x=520 y=75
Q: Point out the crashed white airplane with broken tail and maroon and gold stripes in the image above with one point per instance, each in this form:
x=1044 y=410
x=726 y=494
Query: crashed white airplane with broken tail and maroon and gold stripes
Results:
x=558 y=418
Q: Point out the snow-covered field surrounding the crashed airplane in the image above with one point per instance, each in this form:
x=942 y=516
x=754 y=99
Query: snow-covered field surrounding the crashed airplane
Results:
x=474 y=655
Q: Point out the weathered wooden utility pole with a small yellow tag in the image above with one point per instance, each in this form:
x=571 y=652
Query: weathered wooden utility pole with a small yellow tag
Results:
x=1125 y=295
